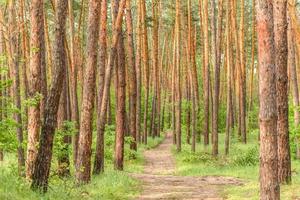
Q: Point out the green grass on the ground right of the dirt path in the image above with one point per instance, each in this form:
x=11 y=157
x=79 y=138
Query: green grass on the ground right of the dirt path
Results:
x=242 y=162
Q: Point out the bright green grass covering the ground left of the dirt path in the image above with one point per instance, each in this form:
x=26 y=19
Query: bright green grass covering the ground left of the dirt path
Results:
x=109 y=185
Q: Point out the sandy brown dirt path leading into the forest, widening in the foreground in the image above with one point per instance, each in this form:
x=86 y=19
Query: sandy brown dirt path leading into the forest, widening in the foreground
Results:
x=158 y=181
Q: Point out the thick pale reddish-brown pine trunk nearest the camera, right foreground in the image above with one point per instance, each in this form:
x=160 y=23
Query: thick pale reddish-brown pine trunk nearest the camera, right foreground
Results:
x=269 y=184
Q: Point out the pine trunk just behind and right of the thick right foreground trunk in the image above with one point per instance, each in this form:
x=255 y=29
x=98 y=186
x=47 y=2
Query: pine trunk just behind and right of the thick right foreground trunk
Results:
x=281 y=49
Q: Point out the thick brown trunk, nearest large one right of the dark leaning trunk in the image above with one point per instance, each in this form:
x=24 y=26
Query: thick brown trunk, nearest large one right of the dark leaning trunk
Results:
x=83 y=162
